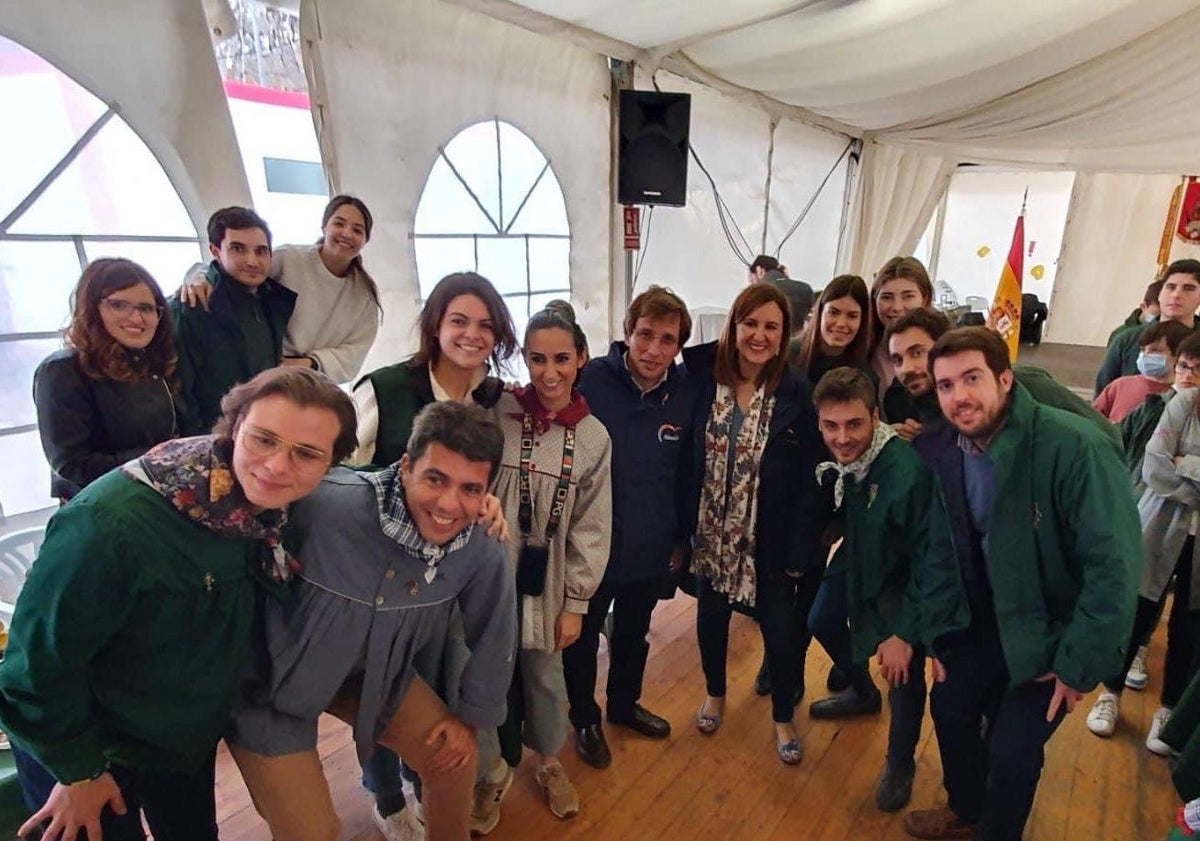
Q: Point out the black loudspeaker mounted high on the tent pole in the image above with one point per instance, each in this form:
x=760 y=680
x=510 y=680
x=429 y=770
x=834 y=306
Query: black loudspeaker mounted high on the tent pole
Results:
x=652 y=164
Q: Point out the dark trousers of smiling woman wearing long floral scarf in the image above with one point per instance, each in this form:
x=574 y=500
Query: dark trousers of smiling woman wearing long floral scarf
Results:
x=777 y=604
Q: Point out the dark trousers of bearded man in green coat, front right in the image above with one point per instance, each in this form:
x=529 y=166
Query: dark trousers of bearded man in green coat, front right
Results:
x=991 y=777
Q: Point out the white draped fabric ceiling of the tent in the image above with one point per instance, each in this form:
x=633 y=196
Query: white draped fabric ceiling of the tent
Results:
x=1102 y=86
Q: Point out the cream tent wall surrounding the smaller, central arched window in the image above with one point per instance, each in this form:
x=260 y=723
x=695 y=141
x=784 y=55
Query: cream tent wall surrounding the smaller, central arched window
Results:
x=398 y=80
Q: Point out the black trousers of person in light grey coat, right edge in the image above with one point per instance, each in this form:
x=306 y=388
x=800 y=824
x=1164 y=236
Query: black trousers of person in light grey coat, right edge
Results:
x=1183 y=659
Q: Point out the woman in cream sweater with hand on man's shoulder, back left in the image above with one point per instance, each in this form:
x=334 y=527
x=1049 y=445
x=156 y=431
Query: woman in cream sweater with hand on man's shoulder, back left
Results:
x=338 y=311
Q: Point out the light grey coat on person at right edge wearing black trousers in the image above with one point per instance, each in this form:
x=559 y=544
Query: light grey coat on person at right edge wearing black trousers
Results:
x=1172 y=497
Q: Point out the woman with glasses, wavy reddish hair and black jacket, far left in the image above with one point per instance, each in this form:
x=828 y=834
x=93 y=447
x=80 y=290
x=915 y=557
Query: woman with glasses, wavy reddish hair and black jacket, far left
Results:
x=109 y=397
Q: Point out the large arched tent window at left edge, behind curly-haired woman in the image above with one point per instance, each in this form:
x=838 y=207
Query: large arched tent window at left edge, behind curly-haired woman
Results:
x=76 y=184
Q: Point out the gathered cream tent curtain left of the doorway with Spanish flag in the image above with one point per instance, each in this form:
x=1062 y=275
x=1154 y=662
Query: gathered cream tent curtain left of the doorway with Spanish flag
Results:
x=897 y=194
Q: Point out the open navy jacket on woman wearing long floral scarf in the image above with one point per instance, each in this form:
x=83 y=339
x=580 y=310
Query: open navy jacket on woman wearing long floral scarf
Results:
x=791 y=514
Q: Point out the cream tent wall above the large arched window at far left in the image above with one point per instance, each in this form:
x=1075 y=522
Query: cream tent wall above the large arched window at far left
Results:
x=167 y=89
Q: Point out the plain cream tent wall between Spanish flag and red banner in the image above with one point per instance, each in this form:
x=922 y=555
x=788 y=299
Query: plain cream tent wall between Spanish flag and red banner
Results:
x=1109 y=254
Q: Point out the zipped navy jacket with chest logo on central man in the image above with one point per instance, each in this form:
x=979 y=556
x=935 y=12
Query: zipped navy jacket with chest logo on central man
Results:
x=651 y=436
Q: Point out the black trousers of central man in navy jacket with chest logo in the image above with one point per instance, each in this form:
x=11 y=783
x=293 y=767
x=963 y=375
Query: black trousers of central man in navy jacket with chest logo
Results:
x=633 y=603
